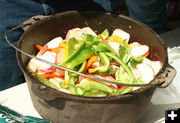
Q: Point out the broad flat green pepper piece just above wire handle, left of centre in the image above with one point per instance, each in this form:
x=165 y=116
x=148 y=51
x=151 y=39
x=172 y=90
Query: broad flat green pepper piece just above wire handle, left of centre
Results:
x=84 y=54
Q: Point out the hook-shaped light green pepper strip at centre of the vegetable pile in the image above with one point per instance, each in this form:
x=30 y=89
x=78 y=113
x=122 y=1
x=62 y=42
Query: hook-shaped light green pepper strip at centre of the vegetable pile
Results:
x=105 y=61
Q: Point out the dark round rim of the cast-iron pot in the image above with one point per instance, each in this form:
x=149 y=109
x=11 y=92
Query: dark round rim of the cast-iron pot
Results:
x=84 y=98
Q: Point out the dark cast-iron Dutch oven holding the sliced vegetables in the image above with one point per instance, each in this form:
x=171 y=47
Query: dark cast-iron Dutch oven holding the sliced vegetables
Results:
x=61 y=107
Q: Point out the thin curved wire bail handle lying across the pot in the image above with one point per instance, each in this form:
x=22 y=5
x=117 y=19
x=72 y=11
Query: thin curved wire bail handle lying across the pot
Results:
x=63 y=68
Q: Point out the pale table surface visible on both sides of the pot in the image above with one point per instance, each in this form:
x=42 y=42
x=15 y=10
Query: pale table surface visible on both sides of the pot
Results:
x=18 y=98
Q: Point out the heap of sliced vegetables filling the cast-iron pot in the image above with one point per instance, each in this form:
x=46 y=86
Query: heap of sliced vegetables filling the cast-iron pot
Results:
x=106 y=56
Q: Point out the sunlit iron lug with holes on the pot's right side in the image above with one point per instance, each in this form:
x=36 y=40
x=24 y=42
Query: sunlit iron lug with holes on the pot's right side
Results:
x=165 y=78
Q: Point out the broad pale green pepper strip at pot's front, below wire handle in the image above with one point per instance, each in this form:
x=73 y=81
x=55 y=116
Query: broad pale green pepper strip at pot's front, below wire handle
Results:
x=89 y=85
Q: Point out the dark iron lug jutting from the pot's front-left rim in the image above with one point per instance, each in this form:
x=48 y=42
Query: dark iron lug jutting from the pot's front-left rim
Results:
x=44 y=92
